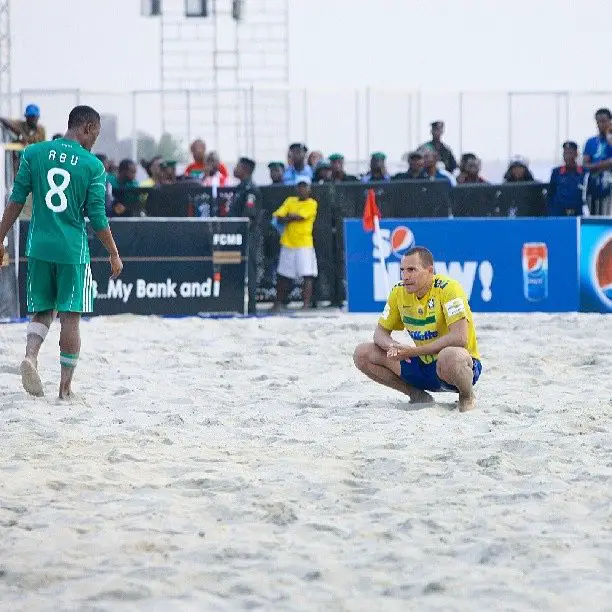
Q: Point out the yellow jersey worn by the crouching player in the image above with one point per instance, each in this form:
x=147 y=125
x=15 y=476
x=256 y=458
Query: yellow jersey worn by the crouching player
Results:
x=430 y=317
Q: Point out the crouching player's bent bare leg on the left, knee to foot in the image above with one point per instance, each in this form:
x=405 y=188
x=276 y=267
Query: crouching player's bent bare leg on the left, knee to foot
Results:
x=374 y=363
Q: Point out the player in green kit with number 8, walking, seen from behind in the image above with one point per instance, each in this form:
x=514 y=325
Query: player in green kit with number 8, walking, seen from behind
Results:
x=68 y=183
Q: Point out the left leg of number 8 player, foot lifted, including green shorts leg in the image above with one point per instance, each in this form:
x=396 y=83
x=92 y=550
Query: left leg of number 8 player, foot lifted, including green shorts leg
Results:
x=40 y=298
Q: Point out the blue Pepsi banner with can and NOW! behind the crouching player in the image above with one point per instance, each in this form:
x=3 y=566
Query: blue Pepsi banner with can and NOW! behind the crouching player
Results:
x=504 y=265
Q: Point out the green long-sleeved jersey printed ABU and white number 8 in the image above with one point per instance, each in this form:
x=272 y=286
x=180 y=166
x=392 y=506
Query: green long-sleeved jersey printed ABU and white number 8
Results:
x=67 y=183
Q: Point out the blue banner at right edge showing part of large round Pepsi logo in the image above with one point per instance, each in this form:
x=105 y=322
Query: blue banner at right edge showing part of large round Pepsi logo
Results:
x=596 y=264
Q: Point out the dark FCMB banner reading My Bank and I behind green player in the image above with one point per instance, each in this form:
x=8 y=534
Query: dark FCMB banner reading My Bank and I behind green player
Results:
x=171 y=267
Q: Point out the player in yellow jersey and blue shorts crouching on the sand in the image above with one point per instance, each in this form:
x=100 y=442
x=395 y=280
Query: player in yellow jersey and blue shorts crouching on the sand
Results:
x=434 y=310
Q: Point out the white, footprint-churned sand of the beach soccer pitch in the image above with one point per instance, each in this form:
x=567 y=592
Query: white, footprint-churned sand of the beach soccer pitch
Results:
x=229 y=465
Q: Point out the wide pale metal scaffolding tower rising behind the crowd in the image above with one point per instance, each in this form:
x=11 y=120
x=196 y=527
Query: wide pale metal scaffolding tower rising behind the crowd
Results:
x=224 y=75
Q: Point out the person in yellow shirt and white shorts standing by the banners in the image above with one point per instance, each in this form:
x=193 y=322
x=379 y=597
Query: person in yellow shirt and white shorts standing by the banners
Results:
x=297 y=255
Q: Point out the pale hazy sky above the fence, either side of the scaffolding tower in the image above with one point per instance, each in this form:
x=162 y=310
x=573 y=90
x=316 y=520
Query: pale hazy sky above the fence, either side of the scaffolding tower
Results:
x=405 y=44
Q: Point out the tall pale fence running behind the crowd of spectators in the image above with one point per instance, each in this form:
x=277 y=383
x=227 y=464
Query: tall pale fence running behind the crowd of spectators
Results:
x=261 y=122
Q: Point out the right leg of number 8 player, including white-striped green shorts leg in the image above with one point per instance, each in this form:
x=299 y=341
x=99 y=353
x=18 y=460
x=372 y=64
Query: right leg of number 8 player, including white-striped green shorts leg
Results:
x=75 y=296
